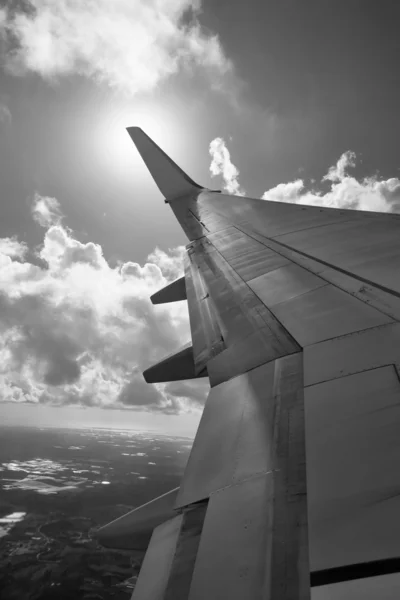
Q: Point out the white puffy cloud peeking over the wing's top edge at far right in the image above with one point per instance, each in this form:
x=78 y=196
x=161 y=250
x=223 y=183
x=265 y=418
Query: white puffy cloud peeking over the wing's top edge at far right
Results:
x=345 y=190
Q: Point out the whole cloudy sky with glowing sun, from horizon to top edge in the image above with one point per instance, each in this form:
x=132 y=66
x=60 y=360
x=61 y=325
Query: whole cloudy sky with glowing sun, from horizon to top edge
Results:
x=286 y=100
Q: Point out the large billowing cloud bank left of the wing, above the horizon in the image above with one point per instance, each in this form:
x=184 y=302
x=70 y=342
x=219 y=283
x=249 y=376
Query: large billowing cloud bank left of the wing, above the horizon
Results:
x=78 y=331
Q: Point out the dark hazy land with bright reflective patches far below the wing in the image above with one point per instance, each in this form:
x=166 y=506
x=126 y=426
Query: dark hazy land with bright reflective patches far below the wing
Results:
x=57 y=487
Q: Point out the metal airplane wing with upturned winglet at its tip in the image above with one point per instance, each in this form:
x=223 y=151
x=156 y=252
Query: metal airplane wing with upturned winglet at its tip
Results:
x=292 y=488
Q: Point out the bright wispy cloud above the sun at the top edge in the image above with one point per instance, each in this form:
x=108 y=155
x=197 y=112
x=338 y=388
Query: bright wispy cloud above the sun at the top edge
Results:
x=131 y=45
